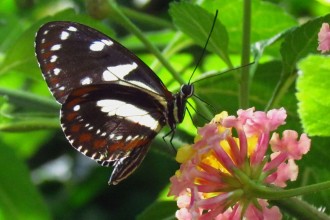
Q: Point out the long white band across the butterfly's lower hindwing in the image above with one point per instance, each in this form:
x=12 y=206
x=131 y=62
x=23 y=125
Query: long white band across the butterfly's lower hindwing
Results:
x=129 y=112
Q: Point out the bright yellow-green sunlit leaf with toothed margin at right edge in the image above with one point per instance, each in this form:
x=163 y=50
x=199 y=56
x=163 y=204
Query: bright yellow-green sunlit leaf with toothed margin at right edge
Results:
x=313 y=94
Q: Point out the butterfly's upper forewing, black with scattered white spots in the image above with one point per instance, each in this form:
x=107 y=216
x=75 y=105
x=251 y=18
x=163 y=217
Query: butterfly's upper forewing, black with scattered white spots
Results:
x=71 y=55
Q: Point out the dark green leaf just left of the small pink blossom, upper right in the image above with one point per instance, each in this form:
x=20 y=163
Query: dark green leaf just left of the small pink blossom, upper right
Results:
x=300 y=42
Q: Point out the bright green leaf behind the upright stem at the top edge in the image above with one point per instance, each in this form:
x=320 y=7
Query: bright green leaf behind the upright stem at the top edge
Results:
x=267 y=20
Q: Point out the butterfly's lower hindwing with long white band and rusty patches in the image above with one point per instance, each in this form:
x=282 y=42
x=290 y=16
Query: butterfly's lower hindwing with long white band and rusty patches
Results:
x=113 y=124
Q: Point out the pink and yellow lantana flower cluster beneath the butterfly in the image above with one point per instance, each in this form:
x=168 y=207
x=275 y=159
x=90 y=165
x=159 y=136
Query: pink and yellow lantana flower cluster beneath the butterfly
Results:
x=229 y=157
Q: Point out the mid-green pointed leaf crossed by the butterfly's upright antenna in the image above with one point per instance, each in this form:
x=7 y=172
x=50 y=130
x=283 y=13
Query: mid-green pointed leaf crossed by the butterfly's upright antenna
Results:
x=196 y=22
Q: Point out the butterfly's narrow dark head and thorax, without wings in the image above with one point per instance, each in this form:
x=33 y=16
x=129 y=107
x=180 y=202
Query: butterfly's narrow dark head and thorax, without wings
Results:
x=186 y=91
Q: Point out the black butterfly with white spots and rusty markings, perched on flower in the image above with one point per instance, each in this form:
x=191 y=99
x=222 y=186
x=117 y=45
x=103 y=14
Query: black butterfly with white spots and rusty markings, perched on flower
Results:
x=112 y=103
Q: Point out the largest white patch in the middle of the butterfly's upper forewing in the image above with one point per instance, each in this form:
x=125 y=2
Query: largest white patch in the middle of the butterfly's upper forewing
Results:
x=118 y=72
